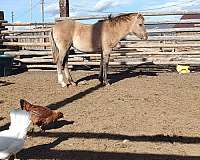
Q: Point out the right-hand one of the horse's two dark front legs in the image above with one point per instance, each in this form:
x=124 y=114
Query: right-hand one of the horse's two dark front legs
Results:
x=106 y=56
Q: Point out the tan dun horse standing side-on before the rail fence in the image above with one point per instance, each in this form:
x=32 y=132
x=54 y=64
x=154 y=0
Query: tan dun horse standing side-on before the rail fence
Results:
x=100 y=37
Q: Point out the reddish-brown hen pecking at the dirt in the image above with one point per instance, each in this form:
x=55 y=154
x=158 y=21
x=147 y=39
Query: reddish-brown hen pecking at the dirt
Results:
x=40 y=115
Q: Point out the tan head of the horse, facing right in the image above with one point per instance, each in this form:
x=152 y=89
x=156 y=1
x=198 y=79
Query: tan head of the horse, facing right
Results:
x=138 y=27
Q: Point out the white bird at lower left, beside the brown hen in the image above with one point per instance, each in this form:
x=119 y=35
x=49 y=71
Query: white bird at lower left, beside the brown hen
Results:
x=12 y=140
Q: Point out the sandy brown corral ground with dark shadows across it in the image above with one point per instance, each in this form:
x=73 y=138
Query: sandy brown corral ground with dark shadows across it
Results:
x=140 y=116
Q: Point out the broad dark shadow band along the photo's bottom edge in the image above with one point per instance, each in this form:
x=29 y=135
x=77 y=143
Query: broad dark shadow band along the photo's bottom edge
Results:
x=47 y=153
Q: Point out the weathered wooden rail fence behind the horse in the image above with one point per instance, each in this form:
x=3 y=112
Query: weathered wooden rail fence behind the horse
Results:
x=165 y=45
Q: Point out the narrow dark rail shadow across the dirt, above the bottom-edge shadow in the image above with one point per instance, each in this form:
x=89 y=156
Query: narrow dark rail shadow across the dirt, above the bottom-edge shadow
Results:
x=136 y=138
